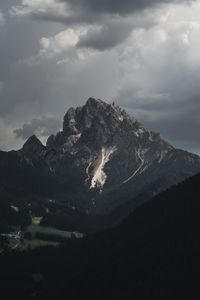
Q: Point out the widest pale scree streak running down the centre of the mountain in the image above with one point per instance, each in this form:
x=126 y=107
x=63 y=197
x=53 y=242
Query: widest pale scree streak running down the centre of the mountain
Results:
x=100 y=177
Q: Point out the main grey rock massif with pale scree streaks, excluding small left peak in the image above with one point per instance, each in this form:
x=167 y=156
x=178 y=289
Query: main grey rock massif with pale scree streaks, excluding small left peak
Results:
x=98 y=133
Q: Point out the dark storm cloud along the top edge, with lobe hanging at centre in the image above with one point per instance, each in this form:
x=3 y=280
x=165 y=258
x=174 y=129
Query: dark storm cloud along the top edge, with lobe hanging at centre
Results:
x=108 y=15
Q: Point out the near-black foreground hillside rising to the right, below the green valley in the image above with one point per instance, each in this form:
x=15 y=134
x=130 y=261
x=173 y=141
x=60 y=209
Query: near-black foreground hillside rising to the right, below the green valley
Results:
x=148 y=256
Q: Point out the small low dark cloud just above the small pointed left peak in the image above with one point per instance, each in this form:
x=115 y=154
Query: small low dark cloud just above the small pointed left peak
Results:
x=43 y=127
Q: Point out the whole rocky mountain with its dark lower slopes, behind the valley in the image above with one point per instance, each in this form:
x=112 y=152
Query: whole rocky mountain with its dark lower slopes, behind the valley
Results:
x=101 y=166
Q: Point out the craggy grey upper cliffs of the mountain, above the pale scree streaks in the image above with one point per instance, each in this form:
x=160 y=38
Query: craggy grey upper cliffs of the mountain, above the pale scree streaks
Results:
x=98 y=124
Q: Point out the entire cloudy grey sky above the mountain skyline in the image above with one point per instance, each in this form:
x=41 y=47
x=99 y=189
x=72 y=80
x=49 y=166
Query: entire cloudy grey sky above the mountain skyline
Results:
x=143 y=54
